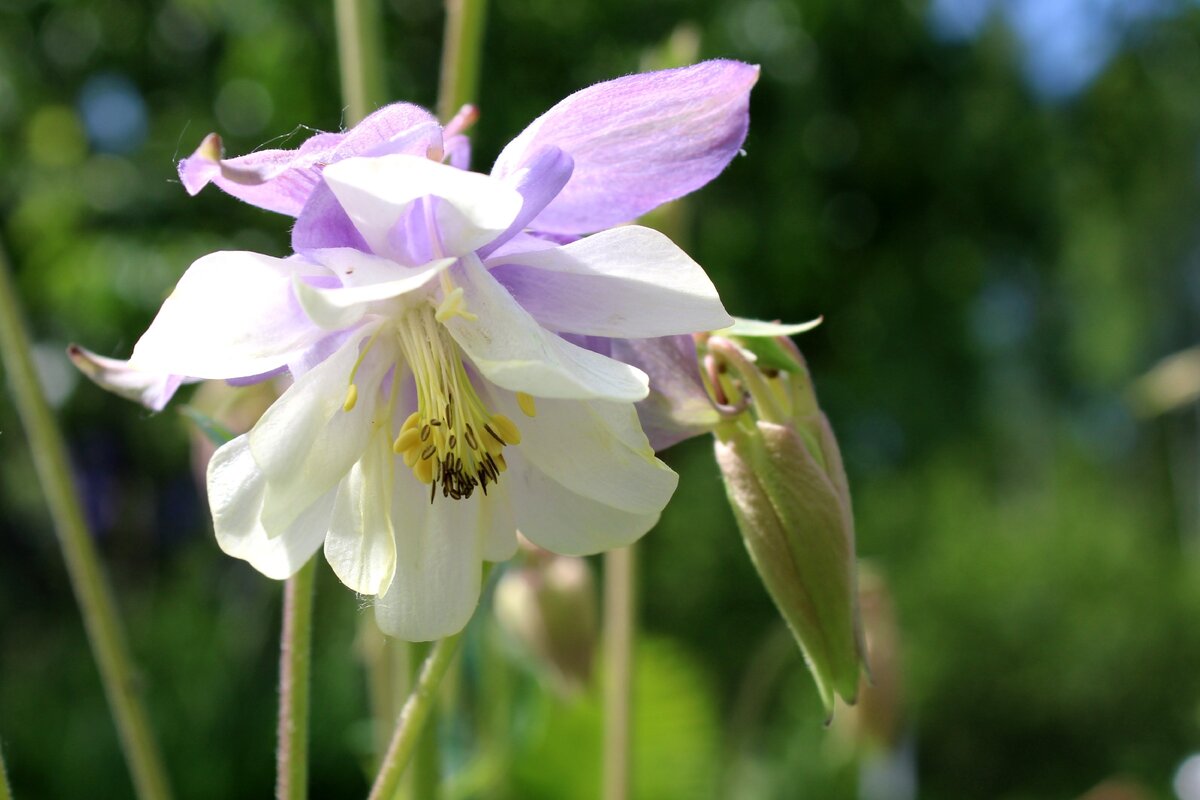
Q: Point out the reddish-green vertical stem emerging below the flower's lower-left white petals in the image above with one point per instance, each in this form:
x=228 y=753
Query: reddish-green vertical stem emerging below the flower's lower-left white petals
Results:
x=296 y=659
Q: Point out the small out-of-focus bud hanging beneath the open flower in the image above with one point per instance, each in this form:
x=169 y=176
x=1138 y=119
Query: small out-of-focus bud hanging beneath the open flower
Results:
x=549 y=607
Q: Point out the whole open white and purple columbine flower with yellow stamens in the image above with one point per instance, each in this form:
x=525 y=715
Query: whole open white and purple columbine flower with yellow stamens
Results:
x=439 y=404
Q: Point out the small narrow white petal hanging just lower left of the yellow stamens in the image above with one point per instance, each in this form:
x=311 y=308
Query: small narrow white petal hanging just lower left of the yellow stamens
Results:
x=361 y=546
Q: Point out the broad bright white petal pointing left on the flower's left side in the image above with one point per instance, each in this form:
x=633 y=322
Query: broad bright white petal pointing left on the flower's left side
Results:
x=232 y=315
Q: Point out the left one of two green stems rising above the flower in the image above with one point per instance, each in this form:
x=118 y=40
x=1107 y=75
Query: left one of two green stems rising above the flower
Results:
x=358 y=51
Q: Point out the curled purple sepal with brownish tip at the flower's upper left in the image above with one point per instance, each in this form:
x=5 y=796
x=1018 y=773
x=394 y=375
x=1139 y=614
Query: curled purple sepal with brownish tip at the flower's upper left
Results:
x=283 y=181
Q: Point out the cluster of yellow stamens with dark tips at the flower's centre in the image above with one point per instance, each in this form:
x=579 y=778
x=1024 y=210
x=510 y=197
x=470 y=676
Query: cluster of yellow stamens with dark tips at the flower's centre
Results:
x=453 y=441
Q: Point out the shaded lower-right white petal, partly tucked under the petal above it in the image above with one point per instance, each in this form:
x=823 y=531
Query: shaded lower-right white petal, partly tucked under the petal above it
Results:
x=554 y=518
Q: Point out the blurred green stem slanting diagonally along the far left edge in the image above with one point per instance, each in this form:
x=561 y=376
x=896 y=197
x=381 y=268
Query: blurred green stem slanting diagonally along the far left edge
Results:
x=92 y=590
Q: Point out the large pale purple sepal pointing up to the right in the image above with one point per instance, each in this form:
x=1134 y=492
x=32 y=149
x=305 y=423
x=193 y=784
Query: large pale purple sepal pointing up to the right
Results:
x=638 y=142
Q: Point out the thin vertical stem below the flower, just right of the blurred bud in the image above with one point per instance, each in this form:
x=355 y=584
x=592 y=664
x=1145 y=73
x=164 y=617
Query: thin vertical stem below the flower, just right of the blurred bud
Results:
x=619 y=657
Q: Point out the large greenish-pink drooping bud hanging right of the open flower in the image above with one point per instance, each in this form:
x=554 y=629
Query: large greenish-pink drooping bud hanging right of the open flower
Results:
x=785 y=480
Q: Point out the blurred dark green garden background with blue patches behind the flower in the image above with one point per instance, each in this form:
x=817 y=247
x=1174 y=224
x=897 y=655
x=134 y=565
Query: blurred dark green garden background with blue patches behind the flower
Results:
x=995 y=204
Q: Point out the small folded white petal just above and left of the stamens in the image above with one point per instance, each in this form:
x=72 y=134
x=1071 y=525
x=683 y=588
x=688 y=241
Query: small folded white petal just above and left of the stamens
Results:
x=335 y=309
